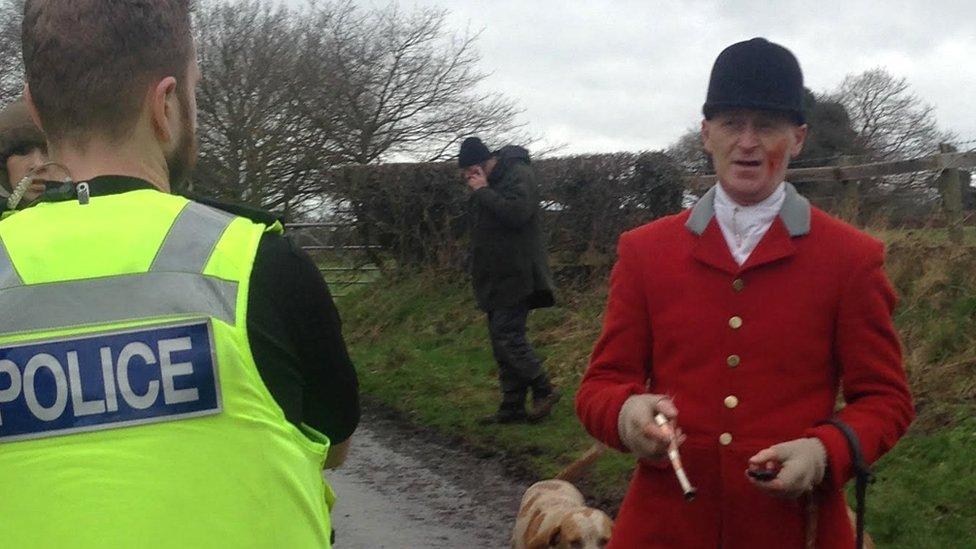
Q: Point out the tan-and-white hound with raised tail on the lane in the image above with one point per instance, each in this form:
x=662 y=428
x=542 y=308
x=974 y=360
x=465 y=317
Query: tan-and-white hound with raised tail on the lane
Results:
x=553 y=513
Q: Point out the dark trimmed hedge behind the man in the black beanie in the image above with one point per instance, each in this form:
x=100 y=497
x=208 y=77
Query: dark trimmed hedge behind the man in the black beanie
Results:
x=418 y=212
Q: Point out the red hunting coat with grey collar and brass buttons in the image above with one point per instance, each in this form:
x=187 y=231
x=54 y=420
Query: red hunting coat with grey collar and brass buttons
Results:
x=752 y=356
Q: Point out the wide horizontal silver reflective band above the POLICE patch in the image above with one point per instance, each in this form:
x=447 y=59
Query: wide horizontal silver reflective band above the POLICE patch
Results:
x=115 y=299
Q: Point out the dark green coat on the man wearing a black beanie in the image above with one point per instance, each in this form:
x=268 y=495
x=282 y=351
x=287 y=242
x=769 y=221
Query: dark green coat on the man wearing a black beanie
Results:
x=509 y=265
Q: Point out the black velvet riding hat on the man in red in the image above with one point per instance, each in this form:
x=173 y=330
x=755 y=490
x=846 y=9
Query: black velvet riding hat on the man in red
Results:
x=756 y=74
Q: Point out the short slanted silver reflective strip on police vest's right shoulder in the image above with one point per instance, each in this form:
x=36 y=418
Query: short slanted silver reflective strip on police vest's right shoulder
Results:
x=191 y=240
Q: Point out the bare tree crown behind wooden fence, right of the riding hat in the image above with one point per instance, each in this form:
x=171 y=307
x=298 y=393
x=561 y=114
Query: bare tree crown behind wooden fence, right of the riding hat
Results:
x=891 y=121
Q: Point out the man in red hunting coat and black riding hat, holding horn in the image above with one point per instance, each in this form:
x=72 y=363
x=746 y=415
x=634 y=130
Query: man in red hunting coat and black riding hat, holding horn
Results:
x=746 y=313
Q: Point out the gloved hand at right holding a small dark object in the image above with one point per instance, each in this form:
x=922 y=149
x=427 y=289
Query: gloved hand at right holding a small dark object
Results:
x=802 y=463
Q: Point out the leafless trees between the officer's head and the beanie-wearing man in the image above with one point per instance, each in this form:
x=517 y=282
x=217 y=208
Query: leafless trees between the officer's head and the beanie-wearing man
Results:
x=287 y=95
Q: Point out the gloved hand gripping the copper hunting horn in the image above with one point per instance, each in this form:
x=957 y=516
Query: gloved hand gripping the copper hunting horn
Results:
x=637 y=429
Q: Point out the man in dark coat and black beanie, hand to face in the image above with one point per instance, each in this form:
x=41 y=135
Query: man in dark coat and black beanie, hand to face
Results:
x=509 y=270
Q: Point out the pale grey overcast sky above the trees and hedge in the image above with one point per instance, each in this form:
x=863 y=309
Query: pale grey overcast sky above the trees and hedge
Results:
x=626 y=75
